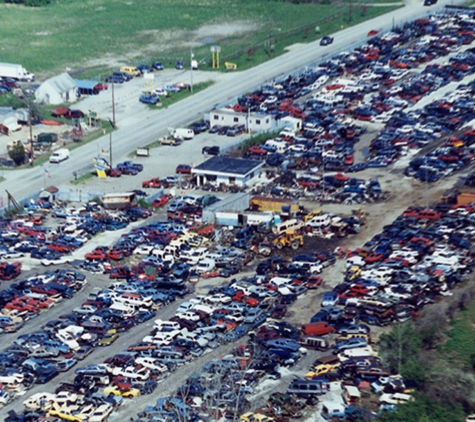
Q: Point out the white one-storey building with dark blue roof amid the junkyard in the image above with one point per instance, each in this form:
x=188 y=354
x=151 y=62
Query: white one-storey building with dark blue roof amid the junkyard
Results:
x=227 y=170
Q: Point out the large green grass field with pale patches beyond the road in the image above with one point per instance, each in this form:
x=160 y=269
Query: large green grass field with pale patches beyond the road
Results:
x=97 y=35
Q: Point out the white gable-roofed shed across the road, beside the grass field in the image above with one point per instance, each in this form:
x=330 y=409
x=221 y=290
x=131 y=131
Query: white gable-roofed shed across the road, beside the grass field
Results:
x=58 y=89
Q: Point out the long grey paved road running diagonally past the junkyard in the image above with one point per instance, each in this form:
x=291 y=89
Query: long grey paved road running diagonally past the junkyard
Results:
x=136 y=131
